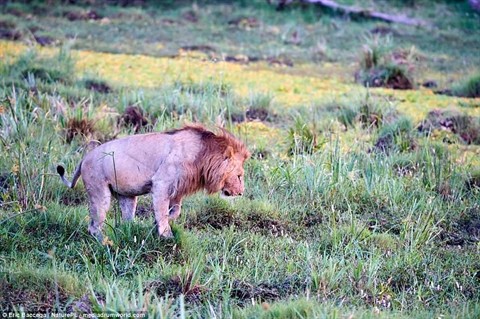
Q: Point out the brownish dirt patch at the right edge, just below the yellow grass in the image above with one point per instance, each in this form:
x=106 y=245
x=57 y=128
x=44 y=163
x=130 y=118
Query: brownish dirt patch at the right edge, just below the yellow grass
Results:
x=464 y=126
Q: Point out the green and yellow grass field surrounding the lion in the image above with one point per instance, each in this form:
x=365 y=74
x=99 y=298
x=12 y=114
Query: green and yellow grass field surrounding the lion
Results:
x=360 y=202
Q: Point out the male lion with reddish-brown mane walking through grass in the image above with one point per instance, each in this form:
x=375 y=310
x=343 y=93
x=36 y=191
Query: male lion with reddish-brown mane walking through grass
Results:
x=169 y=165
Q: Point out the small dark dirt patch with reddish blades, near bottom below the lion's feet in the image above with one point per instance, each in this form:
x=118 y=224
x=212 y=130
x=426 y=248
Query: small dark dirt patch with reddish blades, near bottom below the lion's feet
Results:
x=175 y=287
